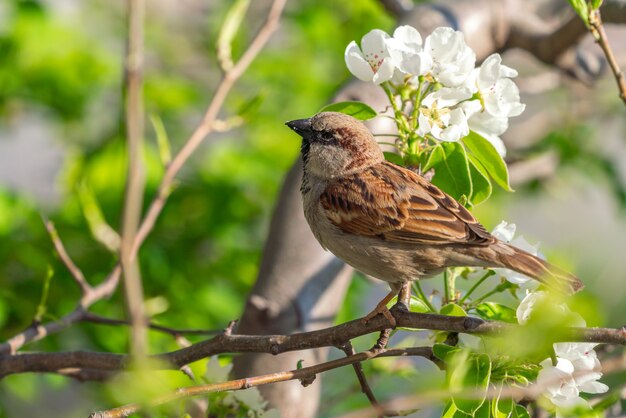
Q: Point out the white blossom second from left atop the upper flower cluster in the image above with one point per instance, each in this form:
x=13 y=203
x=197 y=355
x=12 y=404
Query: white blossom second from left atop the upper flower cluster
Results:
x=406 y=49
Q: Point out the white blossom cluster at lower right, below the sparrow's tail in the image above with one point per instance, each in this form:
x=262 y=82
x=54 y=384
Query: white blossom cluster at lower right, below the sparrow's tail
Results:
x=576 y=367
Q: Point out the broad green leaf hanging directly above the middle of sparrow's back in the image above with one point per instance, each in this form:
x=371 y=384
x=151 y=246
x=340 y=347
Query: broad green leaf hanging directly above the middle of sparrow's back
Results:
x=452 y=175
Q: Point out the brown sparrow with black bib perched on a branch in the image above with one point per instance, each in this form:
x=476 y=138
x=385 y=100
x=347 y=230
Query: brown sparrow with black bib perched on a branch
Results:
x=388 y=221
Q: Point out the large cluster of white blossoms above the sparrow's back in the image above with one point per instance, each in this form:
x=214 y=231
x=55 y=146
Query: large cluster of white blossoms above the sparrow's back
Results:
x=449 y=94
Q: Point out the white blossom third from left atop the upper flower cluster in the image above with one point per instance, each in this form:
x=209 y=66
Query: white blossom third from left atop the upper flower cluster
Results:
x=453 y=60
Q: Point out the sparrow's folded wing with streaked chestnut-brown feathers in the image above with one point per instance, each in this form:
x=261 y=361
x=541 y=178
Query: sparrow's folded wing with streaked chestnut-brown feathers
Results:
x=395 y=204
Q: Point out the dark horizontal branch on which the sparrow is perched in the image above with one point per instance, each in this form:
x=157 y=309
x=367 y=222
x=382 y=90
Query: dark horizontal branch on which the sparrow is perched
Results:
x=335 y=336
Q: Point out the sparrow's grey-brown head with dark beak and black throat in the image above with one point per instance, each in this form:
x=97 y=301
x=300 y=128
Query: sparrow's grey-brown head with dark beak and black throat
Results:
x=335 y=144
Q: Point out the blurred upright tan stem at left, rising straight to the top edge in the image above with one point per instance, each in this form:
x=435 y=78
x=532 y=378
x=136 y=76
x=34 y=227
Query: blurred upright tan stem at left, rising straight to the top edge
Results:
x=135 y=181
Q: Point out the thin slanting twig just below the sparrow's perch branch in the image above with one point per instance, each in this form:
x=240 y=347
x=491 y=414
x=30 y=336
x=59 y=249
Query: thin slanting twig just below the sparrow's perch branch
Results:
x=303 y=374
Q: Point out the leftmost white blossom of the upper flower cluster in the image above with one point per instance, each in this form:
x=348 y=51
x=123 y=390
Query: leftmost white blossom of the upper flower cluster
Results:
x=372 y=61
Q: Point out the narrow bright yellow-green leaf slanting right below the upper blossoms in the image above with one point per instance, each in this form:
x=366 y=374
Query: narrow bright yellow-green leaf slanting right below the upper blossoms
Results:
x=483 y=153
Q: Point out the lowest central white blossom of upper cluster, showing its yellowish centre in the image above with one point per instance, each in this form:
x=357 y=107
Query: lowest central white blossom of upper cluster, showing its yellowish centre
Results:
x=439 y=117
